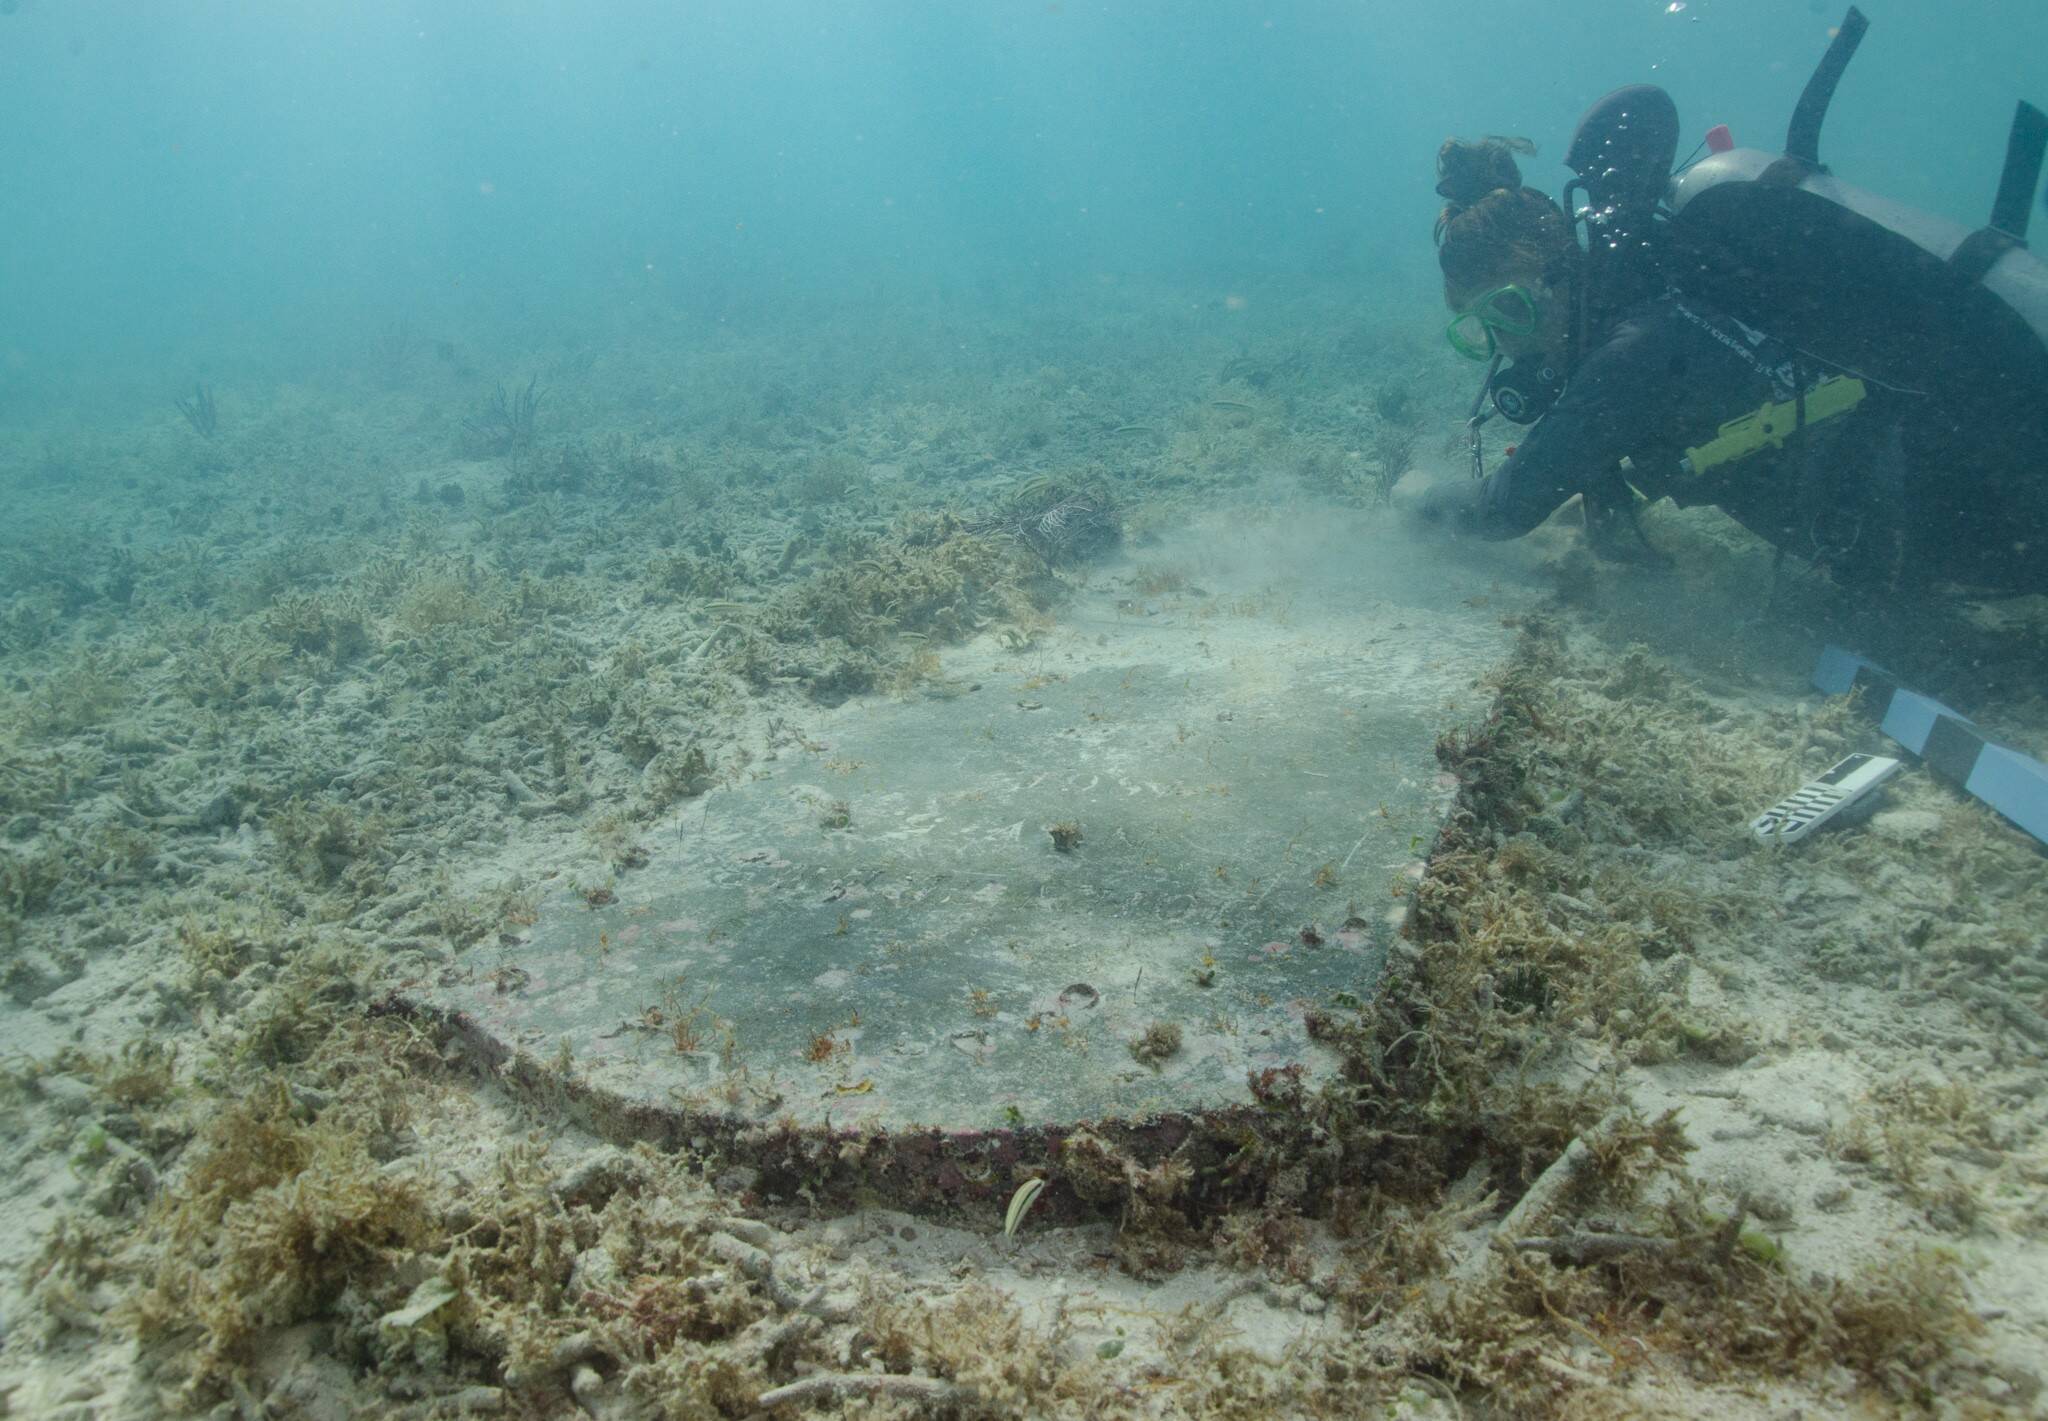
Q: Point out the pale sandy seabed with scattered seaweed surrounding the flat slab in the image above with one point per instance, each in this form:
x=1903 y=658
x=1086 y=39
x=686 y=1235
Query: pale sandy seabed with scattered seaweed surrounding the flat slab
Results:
x=1644 y=1119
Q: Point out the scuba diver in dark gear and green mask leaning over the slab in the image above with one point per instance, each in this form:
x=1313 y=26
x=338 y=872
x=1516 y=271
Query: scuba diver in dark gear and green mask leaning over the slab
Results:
x=1861 y=386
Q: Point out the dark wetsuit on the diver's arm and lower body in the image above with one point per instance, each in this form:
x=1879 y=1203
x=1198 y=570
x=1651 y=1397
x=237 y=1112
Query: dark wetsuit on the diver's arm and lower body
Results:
x=1889 y=492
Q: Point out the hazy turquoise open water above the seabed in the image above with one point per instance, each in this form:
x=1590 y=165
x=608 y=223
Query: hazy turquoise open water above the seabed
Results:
x=257 y=187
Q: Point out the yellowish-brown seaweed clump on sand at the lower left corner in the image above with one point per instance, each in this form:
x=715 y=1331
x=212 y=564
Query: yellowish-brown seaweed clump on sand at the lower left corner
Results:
x=298 y=1203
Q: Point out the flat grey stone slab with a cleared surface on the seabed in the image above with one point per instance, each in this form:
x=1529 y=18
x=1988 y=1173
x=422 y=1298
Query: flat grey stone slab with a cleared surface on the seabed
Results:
x=882 y=931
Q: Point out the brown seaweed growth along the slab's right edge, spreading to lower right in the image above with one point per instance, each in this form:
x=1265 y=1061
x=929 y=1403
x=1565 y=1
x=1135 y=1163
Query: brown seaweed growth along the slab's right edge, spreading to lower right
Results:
x=1613 y=1248
